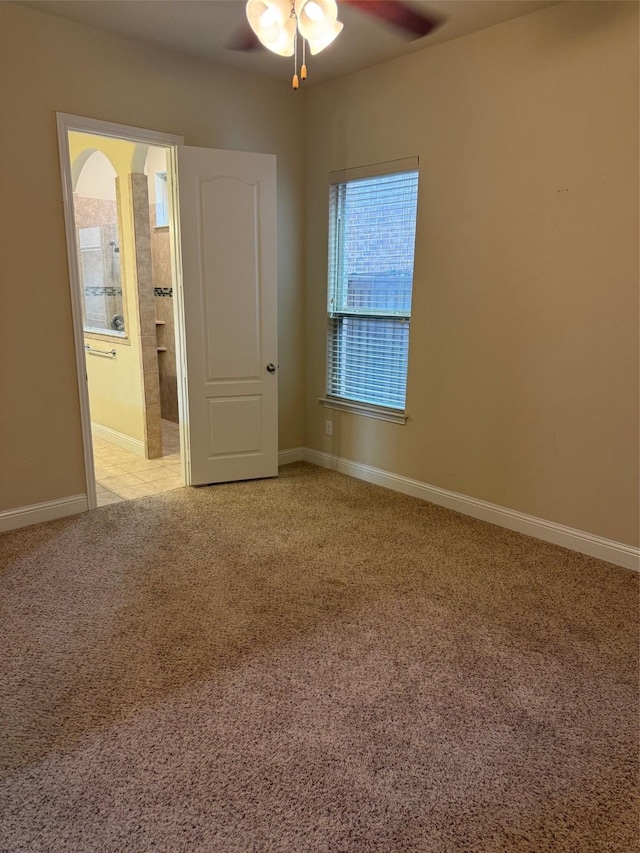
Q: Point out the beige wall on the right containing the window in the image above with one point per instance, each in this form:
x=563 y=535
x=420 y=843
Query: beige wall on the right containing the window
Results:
x=523 y=375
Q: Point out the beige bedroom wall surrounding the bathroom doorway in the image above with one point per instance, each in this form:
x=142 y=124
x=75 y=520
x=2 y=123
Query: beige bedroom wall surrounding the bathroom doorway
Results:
x=48 y=65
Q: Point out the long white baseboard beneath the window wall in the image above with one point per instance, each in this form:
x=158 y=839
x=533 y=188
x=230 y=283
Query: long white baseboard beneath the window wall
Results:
x=576 y=540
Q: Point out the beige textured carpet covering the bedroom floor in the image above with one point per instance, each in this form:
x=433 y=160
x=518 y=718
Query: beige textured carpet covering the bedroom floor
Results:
x=312 y=665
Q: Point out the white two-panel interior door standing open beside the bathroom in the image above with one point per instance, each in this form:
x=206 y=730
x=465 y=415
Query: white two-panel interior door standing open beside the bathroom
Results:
x=227 y=214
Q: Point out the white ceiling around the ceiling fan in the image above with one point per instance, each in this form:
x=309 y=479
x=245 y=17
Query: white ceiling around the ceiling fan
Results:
x=205 y=28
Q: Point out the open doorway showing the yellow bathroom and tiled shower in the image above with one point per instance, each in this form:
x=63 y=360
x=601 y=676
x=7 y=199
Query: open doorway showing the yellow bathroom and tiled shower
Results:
x=122 y=241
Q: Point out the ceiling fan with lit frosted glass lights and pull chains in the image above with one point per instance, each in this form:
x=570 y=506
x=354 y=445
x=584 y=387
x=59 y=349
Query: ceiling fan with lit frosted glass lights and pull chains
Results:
x=280 y=25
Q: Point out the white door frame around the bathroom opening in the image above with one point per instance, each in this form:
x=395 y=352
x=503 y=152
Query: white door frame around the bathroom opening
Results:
x=67 y=122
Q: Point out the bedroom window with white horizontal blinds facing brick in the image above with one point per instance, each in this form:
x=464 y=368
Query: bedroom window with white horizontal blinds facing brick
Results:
x=372 y=225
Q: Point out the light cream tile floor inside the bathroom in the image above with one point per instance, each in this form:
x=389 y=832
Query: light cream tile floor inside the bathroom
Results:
x=123 y=476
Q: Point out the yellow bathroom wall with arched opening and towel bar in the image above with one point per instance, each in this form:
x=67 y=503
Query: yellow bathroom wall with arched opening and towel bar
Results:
x=115 y=384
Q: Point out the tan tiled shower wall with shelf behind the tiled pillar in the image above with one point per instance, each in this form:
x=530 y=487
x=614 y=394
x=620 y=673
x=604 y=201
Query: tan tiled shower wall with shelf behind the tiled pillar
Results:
x=163 y=289
